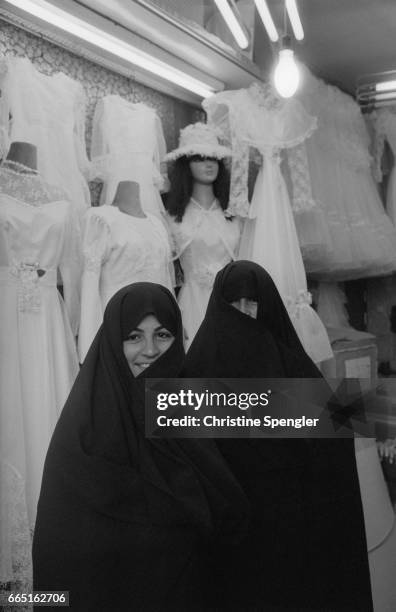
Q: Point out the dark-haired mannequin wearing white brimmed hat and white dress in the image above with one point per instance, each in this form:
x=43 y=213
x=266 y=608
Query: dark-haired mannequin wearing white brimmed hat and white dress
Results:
x=205 y=239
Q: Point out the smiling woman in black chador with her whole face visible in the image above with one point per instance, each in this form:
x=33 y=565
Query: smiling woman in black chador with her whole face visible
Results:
x=123 y=521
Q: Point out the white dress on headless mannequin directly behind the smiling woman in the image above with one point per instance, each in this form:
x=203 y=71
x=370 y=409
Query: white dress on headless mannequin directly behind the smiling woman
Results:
x=118 y=250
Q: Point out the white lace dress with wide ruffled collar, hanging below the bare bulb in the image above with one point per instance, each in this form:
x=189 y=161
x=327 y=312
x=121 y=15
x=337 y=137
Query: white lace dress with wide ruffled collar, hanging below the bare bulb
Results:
x=256 y=118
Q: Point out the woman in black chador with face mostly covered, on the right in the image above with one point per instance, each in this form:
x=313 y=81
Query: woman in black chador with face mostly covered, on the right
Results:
x=305 y=549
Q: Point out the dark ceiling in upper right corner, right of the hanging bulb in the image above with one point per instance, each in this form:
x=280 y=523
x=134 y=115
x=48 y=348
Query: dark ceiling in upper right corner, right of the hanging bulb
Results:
x=345 y=39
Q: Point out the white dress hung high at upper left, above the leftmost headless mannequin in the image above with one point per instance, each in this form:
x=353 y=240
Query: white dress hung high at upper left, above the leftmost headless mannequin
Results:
x=49 y=112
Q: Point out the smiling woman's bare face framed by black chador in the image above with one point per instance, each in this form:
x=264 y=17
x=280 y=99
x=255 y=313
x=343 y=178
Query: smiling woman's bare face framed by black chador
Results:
x=144 y=344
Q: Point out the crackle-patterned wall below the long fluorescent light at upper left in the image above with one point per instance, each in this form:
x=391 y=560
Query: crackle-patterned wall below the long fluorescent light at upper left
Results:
x=97 y=82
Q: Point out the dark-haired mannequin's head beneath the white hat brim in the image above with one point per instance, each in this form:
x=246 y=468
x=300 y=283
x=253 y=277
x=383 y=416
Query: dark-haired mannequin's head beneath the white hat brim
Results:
x=185 y=172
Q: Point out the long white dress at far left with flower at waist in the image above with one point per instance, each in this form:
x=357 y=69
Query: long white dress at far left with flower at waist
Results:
x=38 y=237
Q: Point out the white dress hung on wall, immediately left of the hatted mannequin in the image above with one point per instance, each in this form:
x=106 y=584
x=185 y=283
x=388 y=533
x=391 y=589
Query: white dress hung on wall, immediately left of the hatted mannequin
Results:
x=128 y=144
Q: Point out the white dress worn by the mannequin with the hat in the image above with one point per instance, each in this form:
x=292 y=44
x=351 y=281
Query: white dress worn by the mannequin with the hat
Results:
x=204 y=241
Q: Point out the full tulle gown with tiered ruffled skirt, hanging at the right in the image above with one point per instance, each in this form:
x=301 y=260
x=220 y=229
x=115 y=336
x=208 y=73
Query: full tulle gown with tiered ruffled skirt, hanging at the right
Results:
x=363 y=240
